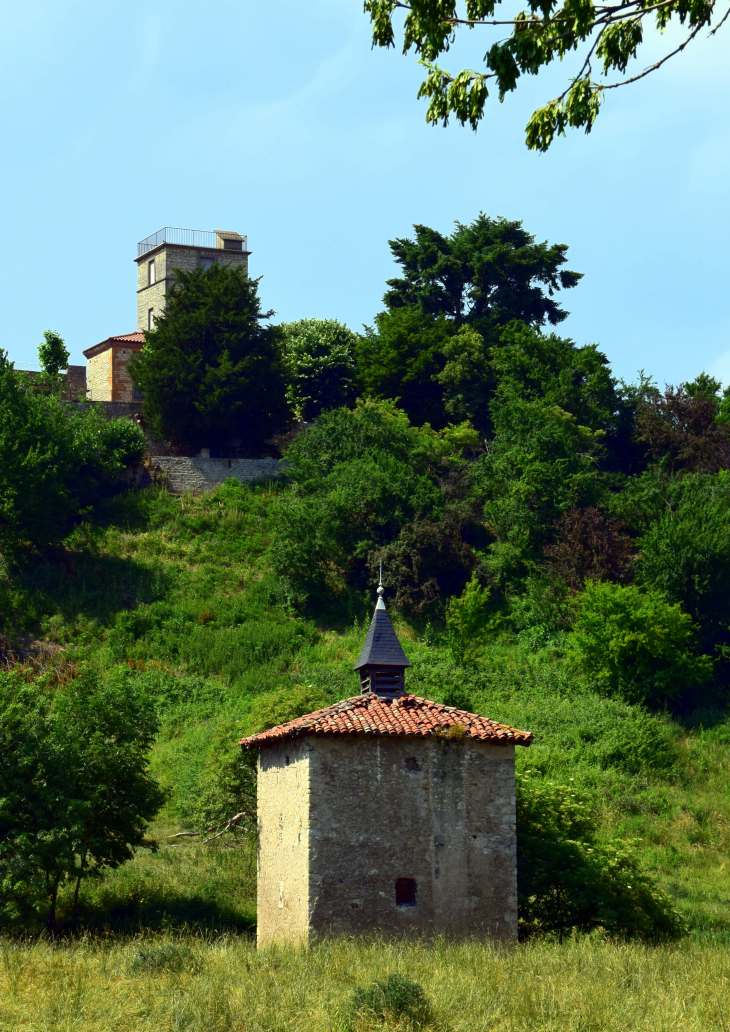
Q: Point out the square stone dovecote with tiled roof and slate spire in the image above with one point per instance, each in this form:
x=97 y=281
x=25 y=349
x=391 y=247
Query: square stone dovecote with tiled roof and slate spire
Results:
x=387 y=814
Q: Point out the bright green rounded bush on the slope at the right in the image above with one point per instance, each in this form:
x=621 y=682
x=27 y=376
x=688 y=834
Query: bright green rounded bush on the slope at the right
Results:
x=636 y=644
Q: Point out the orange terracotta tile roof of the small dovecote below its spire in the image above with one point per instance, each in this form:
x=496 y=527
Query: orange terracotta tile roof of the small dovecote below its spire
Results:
x=371 y=715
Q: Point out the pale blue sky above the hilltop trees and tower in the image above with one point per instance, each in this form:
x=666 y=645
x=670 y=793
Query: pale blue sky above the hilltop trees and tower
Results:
x=279 y=121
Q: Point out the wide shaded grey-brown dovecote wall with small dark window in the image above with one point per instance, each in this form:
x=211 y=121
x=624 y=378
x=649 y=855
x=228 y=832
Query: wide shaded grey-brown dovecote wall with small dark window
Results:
x=438 y=812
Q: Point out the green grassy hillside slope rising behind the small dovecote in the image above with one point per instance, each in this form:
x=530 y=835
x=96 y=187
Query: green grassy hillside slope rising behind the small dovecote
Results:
x=177 y=594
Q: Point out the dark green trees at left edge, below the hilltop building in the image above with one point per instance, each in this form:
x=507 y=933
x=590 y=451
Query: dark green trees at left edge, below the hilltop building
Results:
x=57 y=461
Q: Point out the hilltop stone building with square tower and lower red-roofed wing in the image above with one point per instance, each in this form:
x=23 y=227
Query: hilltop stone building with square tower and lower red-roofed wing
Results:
x=158 y=257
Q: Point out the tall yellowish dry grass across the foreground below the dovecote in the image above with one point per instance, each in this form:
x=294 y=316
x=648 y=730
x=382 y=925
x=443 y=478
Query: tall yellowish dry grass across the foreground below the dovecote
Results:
x=187 y=983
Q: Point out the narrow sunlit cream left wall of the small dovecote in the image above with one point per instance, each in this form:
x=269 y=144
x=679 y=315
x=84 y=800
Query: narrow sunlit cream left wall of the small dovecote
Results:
x=283 y=843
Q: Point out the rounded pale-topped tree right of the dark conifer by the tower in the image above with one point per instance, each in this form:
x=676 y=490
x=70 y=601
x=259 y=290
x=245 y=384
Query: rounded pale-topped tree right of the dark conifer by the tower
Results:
x=321 y=366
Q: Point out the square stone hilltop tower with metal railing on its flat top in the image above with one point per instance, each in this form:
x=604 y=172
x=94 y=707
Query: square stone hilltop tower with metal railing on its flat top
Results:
x=161 y=254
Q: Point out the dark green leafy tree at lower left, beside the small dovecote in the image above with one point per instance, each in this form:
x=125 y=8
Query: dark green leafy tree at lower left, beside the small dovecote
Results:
x=76 y=793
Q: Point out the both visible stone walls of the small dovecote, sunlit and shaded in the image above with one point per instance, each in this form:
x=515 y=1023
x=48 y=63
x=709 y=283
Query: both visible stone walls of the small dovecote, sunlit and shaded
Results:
x=439 y=813
